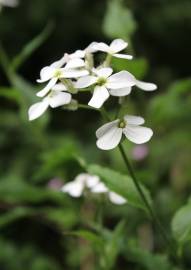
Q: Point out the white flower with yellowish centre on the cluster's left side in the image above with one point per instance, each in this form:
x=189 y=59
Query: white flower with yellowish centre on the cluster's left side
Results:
x=55 y=72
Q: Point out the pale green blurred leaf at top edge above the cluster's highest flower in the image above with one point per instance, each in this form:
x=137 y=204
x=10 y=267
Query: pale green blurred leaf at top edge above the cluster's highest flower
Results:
x=118 y=21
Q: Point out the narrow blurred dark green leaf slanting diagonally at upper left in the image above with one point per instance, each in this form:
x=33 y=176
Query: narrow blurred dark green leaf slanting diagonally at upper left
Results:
x=30 y=47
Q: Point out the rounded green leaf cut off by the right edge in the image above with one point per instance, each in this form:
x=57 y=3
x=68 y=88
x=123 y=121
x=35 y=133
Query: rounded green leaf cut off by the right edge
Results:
x=181 y=224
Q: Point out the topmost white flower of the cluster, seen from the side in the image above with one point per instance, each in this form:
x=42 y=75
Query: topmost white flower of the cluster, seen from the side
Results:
x=114 y=48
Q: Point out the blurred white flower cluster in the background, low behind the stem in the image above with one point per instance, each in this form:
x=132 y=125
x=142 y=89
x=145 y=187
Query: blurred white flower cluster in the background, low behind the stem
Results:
x=93 y=184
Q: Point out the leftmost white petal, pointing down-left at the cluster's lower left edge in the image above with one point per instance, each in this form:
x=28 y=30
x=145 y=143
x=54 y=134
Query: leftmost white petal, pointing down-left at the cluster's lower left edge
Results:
x=37 y=109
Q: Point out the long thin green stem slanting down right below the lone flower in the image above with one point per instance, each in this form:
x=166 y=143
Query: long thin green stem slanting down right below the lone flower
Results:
x=144 y=199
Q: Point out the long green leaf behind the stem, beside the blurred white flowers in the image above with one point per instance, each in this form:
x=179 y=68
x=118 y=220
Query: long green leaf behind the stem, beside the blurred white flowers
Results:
x=121 y=184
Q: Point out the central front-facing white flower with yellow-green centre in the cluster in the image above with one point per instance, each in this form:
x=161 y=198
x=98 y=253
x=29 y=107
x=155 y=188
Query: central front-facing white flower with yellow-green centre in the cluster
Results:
x=118 y=84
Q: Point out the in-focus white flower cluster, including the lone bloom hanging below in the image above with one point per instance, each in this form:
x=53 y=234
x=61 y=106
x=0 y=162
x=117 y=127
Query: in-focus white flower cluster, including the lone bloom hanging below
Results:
x=76 y=72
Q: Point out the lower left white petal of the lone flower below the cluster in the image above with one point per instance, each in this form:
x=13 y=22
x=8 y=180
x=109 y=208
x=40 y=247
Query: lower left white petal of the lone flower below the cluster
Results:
x=110 y=139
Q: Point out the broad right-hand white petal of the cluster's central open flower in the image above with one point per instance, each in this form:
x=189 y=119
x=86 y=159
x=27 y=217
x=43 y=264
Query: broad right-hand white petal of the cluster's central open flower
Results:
x=121 y=79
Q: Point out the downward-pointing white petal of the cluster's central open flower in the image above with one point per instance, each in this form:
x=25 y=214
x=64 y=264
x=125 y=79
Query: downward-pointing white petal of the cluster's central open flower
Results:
x=100 y=95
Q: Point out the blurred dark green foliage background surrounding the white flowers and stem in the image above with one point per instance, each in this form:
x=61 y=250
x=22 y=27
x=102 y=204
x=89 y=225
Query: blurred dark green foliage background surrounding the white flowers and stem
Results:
x=43 y=229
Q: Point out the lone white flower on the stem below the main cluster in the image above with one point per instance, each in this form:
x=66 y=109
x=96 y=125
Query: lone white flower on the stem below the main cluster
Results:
x=110 y=134
